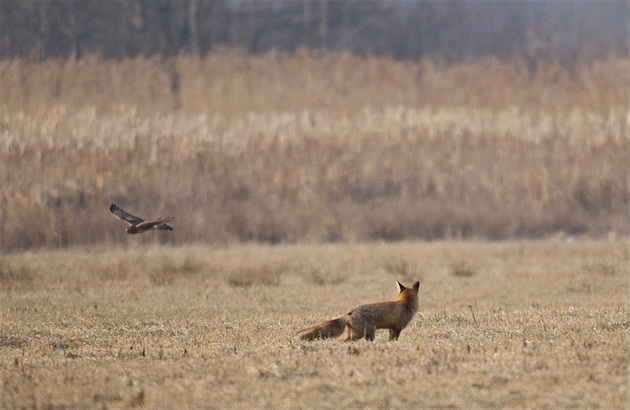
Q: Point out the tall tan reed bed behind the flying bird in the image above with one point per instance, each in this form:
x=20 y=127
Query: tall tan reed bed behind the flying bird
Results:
x=311 y=148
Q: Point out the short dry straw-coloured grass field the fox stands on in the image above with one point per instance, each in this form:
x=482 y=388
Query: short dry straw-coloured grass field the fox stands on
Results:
x=538 y=325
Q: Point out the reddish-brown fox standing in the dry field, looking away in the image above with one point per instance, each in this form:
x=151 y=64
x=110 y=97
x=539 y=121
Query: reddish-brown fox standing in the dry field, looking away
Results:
x=362 y=321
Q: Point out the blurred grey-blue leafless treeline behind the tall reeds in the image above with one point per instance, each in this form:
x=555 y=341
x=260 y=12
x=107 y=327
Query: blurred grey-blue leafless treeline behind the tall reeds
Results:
x=403 y=29
